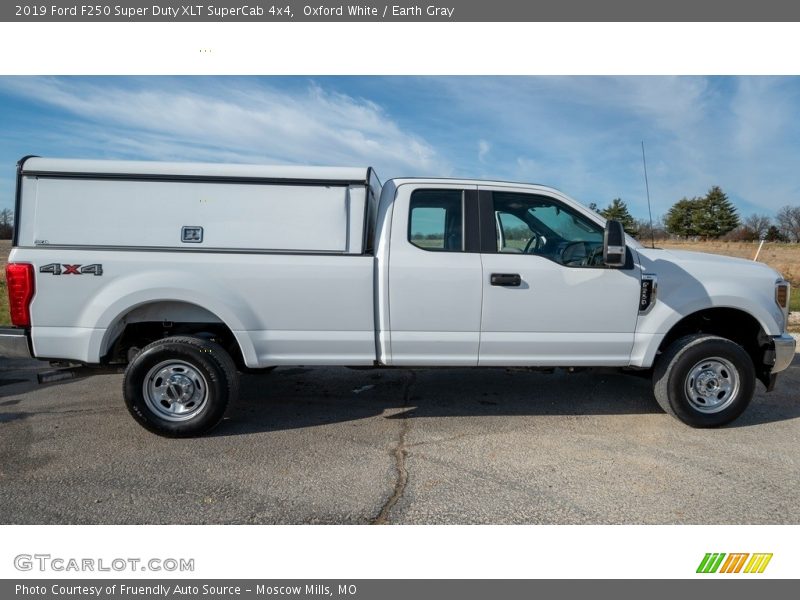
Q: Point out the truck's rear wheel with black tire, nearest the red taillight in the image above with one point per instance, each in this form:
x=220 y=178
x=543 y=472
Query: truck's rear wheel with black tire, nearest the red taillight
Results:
x=180 y=386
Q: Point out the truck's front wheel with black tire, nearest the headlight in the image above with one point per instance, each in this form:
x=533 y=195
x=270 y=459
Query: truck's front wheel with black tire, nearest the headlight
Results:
x=704 y=380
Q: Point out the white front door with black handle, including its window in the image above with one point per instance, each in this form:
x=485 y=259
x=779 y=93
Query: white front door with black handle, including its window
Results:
x=548 y=299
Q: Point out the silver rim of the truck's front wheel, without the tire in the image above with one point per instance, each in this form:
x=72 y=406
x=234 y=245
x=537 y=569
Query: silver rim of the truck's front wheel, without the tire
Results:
x=712 y=385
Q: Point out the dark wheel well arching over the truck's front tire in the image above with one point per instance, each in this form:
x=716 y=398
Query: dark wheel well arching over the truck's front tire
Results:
x=730 y=323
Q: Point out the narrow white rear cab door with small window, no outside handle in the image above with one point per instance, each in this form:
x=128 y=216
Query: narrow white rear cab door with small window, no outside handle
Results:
x=435 y=276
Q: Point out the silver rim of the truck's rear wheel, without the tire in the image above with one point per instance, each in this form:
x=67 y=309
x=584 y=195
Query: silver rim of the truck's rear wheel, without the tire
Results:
x=175 y=390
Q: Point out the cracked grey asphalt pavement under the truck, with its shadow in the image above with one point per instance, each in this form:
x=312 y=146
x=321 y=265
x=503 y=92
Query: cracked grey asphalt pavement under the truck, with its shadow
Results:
x=334 y=445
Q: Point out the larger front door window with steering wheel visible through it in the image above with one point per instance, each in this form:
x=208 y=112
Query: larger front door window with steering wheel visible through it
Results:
x=532 y=224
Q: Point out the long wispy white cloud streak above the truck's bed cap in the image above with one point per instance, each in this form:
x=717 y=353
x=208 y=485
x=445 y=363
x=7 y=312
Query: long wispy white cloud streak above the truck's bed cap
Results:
x=228 y=120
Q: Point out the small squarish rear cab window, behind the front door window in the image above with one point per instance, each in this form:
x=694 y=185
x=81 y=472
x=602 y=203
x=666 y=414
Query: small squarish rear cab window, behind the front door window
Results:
x=436 y=220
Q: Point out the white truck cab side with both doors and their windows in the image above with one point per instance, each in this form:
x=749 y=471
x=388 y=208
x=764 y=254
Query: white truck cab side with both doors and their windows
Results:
x=503 y=275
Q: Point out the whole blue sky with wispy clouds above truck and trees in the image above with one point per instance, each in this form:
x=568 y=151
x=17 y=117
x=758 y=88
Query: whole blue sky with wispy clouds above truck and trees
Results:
x=579 y=134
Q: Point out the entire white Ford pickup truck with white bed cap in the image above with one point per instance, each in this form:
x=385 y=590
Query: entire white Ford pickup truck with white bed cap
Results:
x=190 y=272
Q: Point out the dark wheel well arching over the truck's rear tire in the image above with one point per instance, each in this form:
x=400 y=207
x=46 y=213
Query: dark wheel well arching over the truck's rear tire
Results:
x=157 y=320
